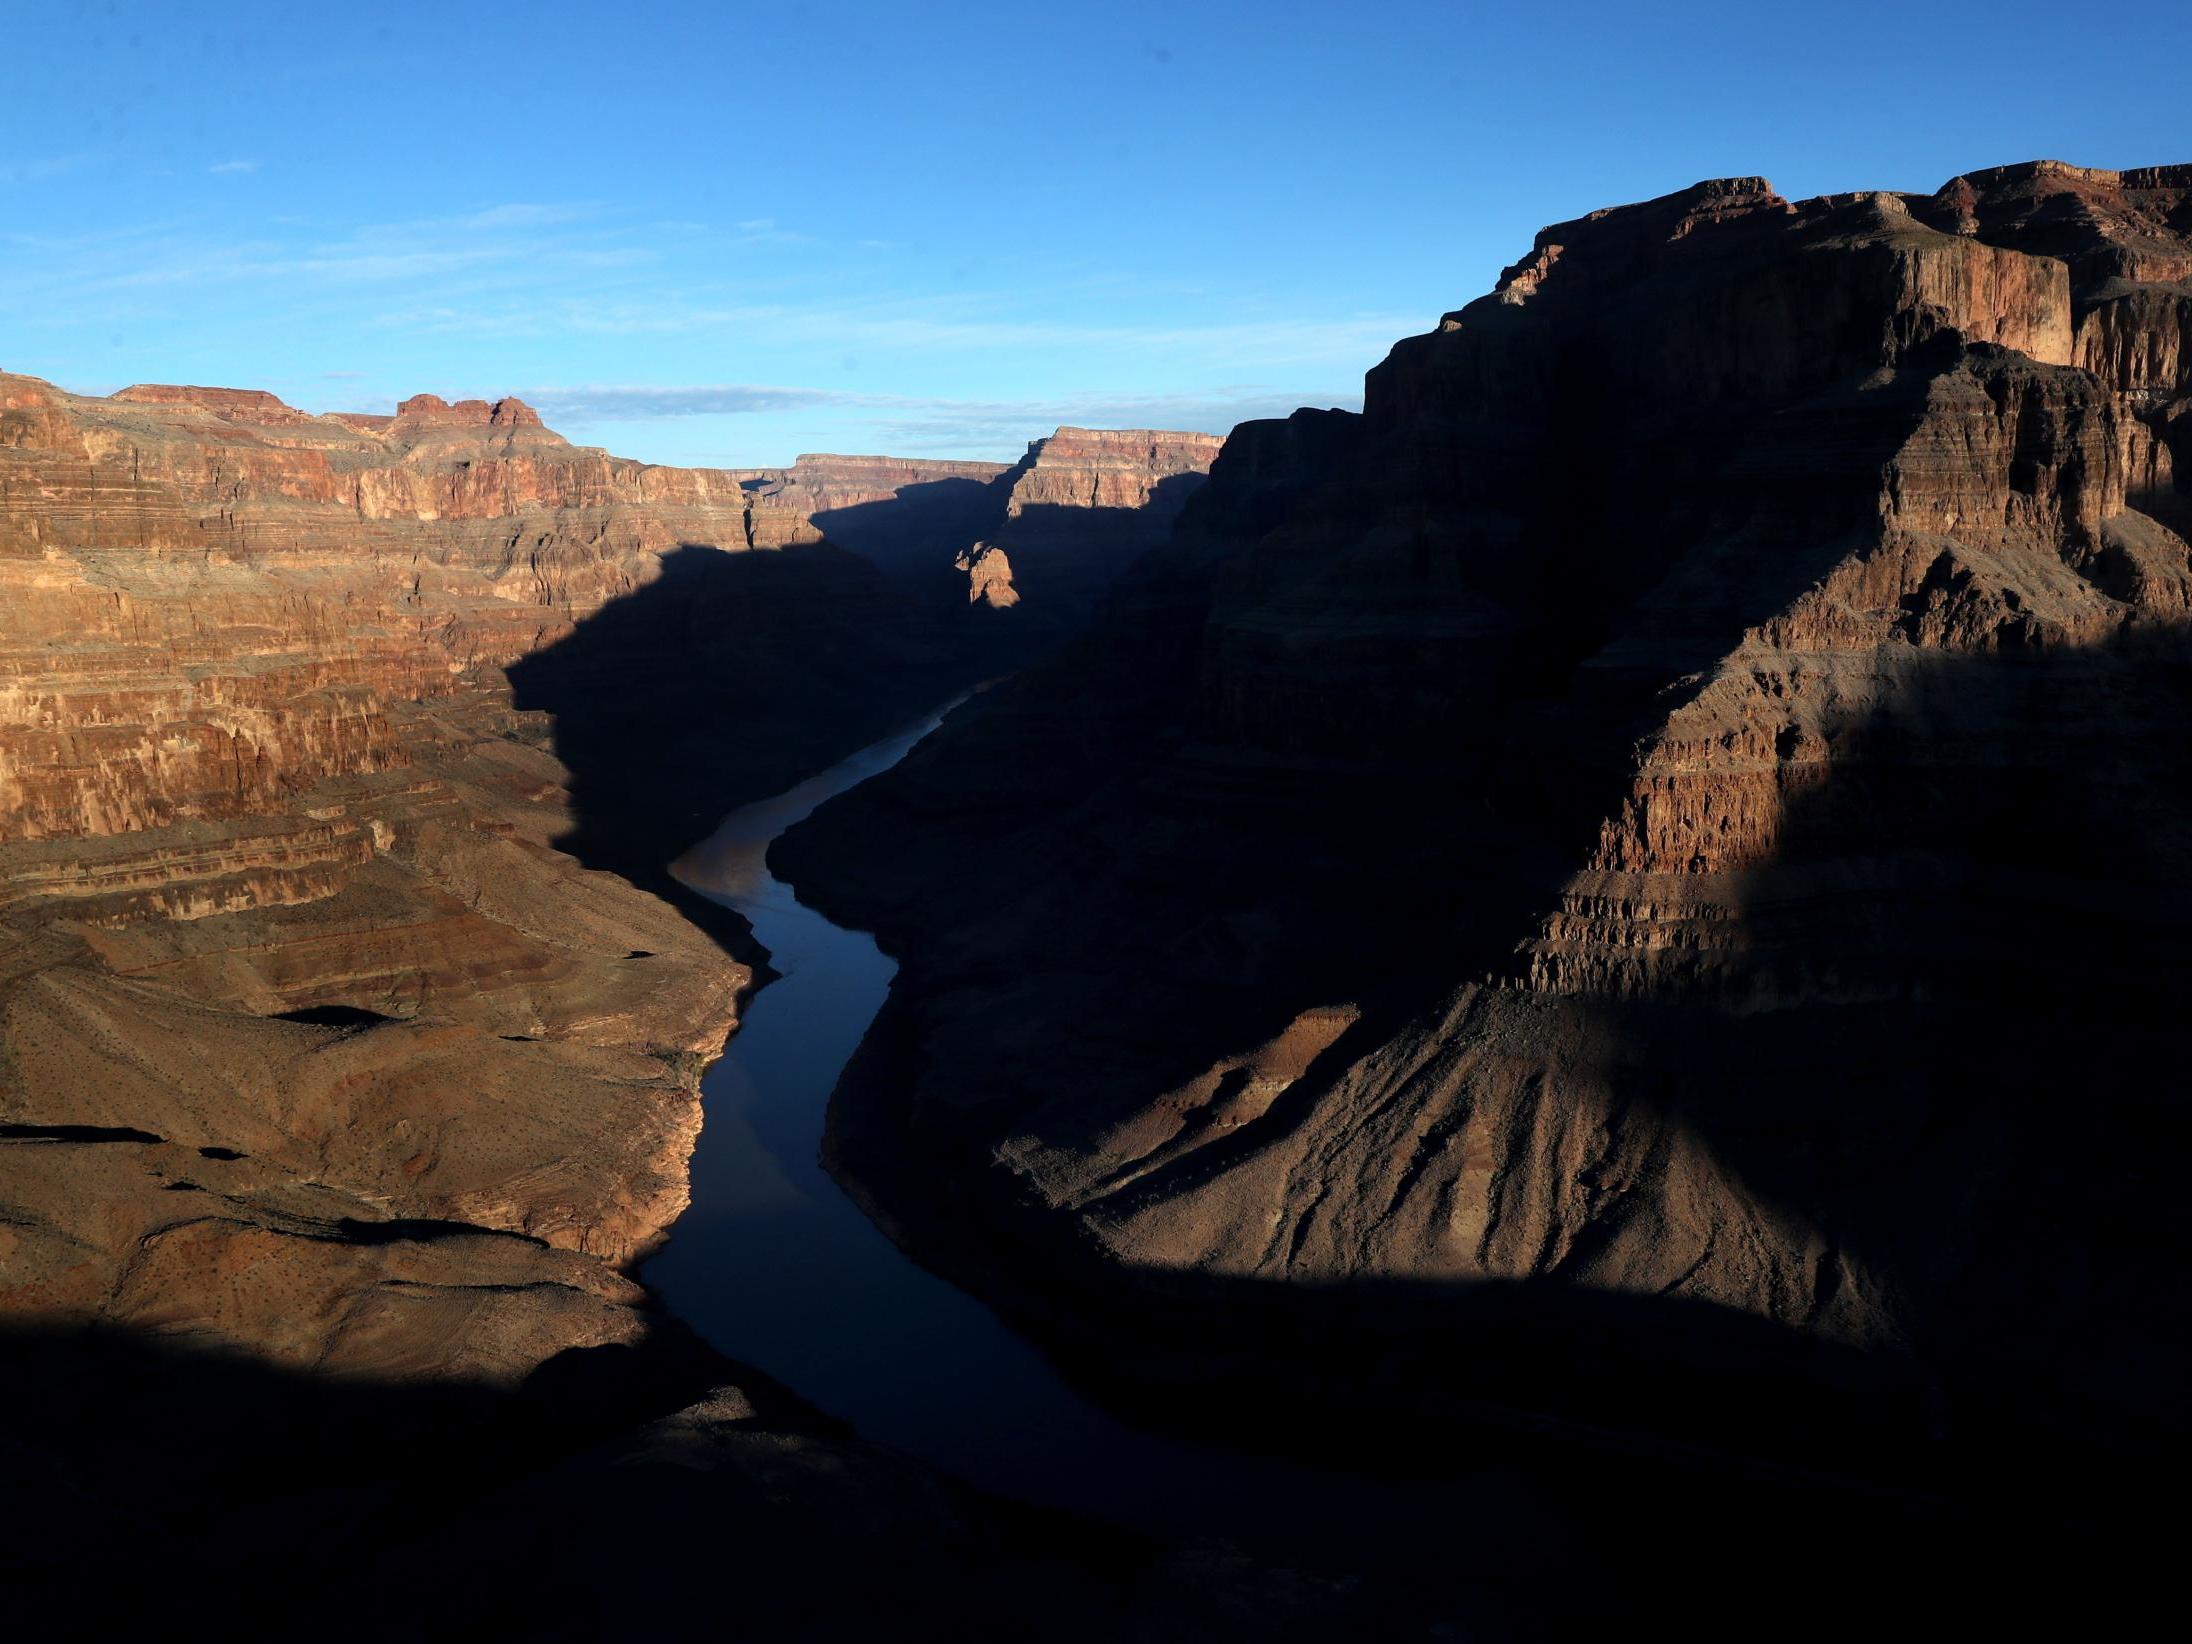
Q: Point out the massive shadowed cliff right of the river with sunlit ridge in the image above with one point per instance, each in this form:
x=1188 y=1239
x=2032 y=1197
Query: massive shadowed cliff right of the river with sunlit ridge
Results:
x=1617 y=869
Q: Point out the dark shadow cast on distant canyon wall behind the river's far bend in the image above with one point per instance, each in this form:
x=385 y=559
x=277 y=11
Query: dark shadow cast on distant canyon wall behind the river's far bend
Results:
x=740 y=674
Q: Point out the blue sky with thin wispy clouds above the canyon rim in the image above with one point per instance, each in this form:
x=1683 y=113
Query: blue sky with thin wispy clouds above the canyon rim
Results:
x=733 y=233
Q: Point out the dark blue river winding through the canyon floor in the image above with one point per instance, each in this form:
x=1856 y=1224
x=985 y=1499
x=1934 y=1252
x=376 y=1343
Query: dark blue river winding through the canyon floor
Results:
x=779 y=1268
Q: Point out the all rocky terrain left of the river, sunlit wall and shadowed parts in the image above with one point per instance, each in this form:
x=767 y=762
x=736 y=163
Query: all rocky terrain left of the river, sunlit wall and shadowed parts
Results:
x=339 y=1084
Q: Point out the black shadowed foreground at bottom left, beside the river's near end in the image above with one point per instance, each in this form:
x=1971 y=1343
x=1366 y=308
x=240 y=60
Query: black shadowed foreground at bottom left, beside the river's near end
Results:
x=146 y=1481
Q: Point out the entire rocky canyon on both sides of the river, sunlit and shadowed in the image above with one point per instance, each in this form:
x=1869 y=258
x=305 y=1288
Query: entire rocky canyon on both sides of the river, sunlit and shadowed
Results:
x=1639 y=884
